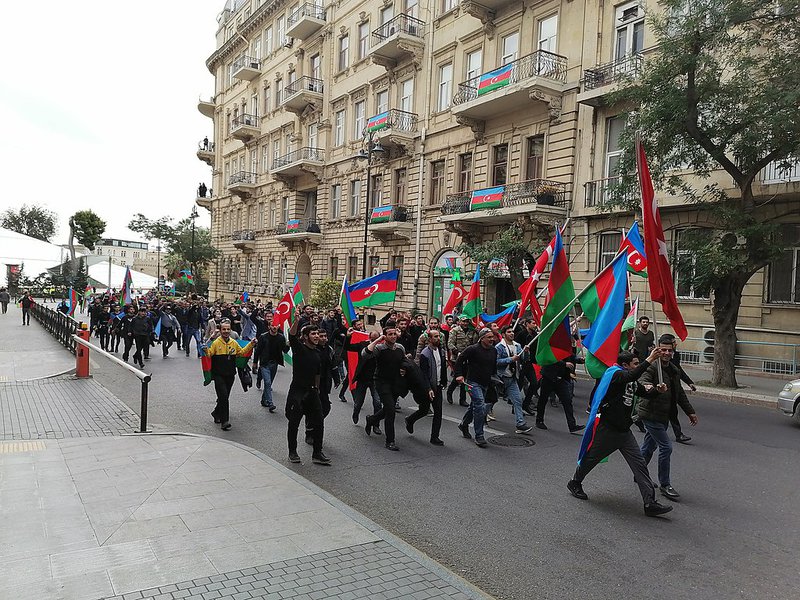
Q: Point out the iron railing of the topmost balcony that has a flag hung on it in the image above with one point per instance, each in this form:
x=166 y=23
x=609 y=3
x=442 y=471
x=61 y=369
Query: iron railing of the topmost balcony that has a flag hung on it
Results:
x=539 y=64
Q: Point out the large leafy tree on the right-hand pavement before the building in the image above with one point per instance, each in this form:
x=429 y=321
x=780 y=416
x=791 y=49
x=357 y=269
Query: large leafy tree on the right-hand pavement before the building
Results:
x=720 y=94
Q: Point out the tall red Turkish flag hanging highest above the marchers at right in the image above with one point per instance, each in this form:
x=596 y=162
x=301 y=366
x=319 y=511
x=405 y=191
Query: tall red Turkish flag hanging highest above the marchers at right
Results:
x=662 y=288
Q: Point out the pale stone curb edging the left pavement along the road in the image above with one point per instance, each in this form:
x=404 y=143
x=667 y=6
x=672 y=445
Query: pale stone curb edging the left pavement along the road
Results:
x=454 y=580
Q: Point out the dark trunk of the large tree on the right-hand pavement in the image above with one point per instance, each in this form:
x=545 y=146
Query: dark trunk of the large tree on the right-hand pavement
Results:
x=727 y=299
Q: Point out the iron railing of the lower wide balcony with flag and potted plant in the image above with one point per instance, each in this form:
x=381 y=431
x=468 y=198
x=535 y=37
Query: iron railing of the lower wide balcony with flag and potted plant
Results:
x=535 y=191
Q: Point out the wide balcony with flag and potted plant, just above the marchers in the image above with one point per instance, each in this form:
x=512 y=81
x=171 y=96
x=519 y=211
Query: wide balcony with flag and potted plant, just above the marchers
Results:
x=538 y=198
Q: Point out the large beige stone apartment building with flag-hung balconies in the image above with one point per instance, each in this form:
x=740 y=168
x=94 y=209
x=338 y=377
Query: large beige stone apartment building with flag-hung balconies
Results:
x=340 y=127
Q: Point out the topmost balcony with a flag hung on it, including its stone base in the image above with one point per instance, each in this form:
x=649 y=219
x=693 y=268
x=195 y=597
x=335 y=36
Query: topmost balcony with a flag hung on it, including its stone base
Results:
x=539 y=77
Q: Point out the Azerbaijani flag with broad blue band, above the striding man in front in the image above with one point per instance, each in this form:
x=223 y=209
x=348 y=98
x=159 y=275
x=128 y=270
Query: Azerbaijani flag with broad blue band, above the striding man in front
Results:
x=603 y=340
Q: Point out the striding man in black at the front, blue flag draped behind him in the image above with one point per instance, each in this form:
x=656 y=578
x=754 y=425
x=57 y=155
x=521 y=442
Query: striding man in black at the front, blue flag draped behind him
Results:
x=614 y=433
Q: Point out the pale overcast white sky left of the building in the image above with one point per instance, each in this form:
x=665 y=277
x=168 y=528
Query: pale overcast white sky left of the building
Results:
x=98 y=108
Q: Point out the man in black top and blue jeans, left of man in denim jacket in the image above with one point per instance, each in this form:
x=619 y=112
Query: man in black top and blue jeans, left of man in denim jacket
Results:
x=475 y=367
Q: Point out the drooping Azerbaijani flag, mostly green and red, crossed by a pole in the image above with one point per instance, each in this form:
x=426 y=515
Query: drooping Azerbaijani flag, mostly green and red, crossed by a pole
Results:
x=555 y=341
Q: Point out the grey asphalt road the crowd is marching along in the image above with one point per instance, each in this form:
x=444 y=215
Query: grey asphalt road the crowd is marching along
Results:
x=502 y=516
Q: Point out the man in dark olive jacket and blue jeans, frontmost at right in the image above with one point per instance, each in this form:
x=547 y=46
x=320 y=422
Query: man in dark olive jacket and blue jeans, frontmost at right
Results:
x=658 y=393
